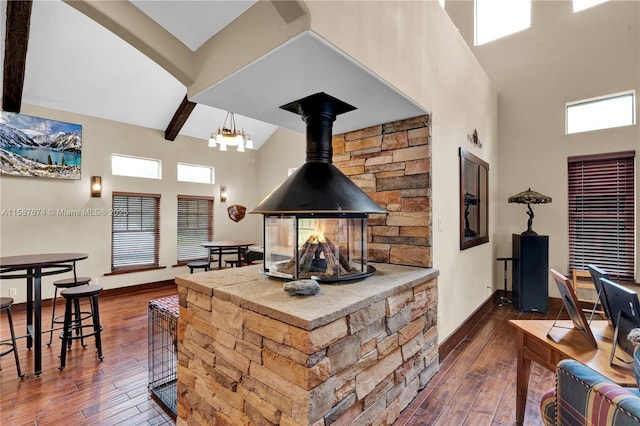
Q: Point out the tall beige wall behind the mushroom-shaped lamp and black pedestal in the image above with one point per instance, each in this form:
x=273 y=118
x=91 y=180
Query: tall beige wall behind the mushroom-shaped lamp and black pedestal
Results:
x=563 y=57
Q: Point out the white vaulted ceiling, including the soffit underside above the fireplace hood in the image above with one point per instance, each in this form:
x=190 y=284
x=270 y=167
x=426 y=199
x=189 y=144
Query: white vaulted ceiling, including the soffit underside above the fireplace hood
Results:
x=75 y=64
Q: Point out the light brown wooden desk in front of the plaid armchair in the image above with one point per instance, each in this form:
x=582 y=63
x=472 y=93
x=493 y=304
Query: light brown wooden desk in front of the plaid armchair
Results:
x=534 y=345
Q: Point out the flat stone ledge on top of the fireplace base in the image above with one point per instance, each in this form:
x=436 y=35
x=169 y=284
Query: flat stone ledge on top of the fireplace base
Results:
x=248 y=288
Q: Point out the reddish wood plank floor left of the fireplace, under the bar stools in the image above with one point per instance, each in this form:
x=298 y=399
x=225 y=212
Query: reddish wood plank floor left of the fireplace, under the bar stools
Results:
x=86 y=392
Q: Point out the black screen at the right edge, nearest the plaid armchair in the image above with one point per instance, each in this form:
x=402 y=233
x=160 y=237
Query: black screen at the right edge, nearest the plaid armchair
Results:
x=625 y=311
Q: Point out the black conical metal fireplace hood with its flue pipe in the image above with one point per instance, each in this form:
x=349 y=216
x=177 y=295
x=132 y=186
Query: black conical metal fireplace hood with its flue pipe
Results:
x=318 y=186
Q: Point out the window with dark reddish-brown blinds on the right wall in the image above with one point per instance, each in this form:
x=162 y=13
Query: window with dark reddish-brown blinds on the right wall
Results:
x=601 y=213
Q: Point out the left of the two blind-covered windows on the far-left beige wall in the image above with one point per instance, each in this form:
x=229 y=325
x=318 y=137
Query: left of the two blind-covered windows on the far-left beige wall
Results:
x=135 y=231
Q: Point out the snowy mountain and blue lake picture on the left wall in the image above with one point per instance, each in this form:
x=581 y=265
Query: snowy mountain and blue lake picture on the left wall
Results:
x=32 y=146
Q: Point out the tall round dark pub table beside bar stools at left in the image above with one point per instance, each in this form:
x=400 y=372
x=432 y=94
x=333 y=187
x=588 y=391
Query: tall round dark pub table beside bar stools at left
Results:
x=33 y=267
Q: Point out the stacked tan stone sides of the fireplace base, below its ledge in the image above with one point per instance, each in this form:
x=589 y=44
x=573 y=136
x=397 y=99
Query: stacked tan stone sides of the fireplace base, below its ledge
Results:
x=238 y=367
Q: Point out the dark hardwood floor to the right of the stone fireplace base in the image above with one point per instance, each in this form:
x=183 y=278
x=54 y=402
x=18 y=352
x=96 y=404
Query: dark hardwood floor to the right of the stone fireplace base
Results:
x=476 y=383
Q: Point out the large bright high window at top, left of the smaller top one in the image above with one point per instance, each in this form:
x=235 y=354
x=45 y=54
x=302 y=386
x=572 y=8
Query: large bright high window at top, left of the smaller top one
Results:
x=499 y=18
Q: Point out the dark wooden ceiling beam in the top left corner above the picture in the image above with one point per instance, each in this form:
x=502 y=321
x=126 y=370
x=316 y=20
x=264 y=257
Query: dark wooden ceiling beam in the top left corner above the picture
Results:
x=16 y=41
